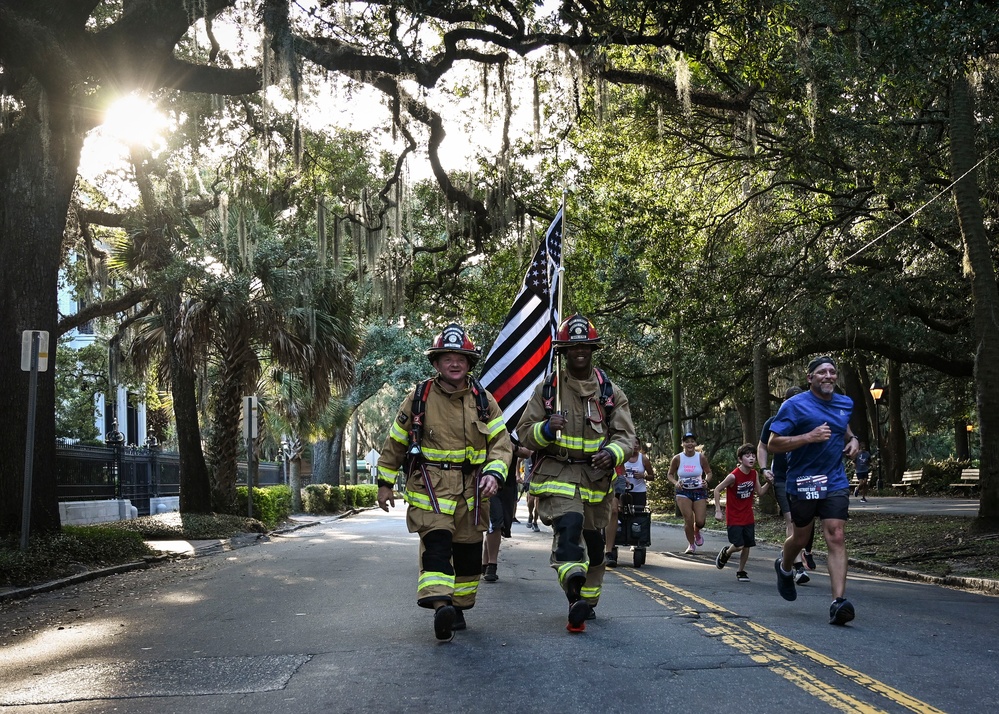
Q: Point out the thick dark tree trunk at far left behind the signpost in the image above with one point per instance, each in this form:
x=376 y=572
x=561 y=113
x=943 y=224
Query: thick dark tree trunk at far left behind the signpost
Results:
x=39 y=155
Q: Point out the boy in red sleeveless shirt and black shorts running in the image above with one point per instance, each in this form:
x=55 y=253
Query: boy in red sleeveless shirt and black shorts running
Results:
x=742 y=485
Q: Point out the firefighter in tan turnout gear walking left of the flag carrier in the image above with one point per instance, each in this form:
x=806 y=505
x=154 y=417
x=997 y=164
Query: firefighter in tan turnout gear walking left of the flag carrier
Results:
x=451 y=446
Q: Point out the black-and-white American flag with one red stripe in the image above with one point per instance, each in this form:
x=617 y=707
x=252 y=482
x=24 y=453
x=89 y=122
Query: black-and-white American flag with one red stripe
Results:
x=522 y=353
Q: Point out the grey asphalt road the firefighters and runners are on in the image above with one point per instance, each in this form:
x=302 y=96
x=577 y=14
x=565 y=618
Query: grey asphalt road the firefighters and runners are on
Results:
x=324 y=620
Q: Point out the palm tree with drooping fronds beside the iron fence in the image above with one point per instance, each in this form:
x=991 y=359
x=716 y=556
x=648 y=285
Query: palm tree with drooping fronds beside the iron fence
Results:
x=271 y=307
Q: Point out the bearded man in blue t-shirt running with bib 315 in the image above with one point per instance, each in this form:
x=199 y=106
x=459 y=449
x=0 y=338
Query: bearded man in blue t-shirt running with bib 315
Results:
x=815 y=427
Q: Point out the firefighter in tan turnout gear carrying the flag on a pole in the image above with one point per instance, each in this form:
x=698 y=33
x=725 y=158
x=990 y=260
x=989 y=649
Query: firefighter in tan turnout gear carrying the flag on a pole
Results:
x=579 y=442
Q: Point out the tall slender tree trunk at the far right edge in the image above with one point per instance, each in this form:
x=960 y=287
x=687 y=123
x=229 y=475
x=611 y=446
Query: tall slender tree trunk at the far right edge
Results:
x=979 y=266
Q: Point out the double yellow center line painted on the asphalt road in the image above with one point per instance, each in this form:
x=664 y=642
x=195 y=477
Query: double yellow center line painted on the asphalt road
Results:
x=766 y=647
